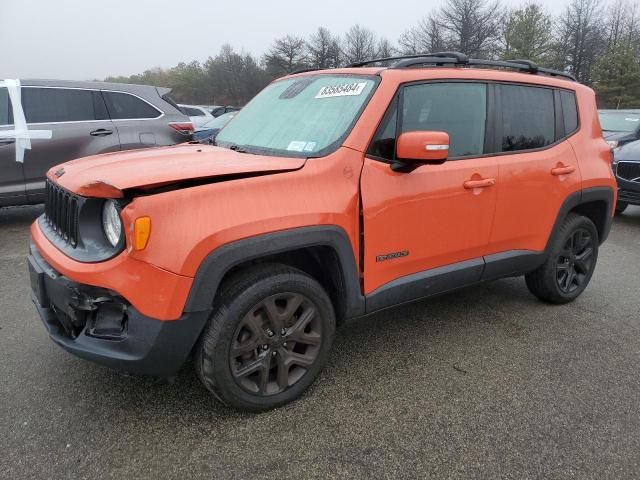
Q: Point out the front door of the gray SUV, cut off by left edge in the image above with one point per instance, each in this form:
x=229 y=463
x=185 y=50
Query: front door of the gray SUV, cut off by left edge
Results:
x=11 y=173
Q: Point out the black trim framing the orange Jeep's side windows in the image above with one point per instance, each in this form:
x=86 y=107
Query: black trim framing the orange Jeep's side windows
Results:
x=493 y=107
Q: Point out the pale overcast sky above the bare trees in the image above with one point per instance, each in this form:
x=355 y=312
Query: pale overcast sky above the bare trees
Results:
x=84 y=39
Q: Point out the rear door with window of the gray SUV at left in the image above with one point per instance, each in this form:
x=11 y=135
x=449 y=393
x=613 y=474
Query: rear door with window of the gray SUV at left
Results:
x=80 y=127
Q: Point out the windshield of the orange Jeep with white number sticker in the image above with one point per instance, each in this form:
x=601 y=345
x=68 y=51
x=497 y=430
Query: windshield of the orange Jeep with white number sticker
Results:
x=305 y=116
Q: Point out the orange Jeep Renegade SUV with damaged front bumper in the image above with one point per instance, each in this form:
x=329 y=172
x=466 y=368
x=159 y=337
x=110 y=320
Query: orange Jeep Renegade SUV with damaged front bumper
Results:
x=332 y=195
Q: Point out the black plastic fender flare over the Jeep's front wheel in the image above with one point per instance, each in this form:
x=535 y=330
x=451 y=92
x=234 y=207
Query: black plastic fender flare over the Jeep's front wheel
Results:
x=221 y=260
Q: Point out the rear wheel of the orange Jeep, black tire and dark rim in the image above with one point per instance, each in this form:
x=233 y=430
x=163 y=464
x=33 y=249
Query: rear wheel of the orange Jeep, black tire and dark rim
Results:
x=553 y=282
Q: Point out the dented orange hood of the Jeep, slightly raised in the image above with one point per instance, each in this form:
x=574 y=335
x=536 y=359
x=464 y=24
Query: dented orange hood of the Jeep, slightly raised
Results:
x=109 y=175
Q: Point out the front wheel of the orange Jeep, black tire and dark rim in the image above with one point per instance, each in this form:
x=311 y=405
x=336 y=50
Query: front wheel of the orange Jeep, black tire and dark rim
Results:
x=242 y=319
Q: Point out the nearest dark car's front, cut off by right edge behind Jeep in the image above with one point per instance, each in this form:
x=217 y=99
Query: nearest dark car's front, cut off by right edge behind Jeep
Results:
x=627 y=170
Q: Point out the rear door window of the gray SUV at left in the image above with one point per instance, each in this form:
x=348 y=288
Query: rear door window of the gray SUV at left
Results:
x=43 y=105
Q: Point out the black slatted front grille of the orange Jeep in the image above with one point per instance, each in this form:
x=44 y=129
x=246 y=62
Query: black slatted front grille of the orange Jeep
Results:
x=61 y=212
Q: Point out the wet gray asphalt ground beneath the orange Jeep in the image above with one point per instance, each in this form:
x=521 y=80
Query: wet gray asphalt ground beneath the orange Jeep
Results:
x=486 y=382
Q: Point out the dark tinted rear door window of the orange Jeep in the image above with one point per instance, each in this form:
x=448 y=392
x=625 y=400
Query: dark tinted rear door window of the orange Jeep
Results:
x=528 y=117
